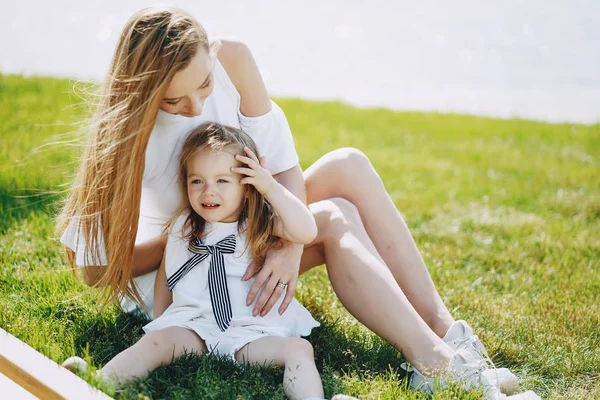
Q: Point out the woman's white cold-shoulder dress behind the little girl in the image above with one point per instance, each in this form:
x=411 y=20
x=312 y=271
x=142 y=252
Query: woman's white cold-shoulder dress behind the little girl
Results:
x=160 y=195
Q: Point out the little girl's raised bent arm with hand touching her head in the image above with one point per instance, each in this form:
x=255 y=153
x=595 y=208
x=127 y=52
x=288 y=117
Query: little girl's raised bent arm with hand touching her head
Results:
x=294 y=221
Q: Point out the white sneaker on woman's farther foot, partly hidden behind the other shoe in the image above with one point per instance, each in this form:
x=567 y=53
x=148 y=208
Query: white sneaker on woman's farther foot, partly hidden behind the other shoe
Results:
x=460 y=336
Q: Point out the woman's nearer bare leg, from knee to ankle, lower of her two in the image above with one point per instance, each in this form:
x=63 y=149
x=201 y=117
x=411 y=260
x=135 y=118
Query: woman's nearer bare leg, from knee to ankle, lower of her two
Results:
x=366 y=287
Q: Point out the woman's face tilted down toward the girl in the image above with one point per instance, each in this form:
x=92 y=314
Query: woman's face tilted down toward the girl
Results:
x=190 y=87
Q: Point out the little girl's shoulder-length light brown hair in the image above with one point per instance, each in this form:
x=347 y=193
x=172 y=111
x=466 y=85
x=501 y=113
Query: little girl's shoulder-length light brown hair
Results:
x=256 y=214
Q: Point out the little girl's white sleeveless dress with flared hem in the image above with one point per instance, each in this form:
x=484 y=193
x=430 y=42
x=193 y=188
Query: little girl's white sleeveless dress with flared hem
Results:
x=192 y=309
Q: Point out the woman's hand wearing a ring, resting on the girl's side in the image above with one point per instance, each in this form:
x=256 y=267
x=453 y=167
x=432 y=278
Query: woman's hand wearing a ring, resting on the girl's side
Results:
x=281 y=265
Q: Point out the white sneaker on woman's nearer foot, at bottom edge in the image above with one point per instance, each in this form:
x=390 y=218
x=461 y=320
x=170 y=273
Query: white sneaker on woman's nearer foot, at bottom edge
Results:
x=466 y=370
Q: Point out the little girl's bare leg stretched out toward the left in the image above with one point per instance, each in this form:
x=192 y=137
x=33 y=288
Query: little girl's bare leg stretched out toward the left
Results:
x=151 y=351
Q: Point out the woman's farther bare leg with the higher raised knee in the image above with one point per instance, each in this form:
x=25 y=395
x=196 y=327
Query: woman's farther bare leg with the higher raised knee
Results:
x=348 y=173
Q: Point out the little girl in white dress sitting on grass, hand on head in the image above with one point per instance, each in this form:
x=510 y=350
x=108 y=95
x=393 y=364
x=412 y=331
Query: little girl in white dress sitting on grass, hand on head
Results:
x=235 y=212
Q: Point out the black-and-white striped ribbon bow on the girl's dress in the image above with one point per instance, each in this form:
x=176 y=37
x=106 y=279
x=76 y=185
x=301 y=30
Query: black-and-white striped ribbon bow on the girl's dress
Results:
x=217 y=280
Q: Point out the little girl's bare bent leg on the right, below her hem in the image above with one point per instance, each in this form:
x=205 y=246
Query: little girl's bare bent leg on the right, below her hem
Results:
x=301 y=379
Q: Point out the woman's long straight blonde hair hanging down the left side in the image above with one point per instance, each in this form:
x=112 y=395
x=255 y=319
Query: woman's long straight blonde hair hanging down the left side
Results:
x=155 y=44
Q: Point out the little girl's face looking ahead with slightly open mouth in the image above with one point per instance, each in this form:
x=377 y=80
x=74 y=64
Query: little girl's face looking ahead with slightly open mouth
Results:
x=214 y=192
